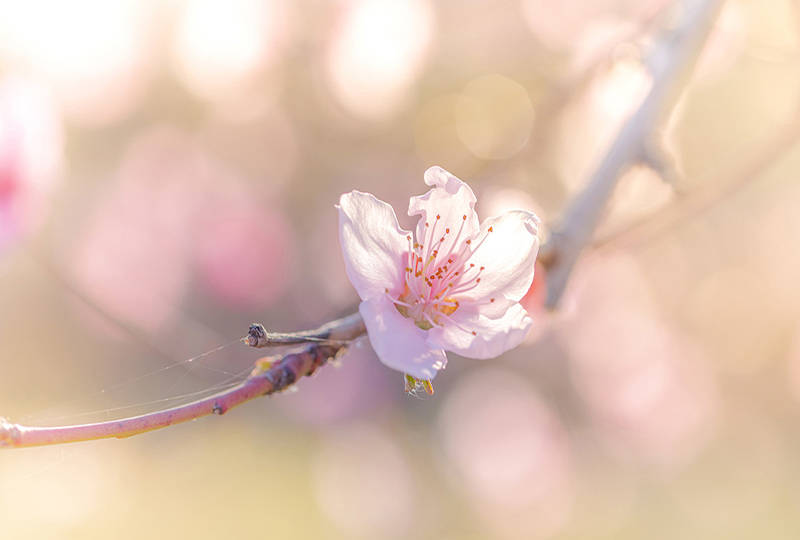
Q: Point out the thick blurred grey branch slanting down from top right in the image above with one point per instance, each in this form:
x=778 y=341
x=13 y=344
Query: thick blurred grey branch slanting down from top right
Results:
x=670 y=57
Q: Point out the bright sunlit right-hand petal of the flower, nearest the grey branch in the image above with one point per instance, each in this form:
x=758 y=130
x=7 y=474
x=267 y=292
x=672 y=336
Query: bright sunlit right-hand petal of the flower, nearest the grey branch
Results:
x=506 y=249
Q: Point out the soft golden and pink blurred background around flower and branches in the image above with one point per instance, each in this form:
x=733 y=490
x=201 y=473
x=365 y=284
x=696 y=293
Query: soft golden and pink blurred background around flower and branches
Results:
x=168 y=172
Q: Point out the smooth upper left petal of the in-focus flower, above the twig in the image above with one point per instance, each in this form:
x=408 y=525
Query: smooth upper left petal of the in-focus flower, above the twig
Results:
x=373 y=245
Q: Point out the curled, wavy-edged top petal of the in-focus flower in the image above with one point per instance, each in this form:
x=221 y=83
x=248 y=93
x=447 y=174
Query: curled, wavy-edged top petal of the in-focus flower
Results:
x=451 y=200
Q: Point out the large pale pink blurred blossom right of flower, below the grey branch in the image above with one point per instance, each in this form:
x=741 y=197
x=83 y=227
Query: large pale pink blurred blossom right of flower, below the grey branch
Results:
x=646 y=386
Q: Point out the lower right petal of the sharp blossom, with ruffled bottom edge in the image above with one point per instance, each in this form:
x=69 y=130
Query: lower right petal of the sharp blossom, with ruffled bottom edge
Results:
x=493 y=336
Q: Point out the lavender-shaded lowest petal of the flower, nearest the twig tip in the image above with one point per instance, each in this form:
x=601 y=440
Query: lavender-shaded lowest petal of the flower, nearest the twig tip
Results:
x=399 y=343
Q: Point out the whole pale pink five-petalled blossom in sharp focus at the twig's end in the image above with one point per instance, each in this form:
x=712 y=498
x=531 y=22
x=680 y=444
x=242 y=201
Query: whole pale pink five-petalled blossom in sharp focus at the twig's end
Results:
x=454 y=286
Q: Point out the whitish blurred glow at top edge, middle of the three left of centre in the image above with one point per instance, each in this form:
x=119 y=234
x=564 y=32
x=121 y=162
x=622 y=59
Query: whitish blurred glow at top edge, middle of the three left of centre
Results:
x=221 y=45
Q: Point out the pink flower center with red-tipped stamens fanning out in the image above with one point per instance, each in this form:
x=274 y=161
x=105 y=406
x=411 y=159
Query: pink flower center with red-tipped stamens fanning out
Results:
x=438 y=271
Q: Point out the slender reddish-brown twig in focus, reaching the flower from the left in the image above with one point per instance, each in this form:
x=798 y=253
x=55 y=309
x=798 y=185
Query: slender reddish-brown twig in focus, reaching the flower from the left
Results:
x=264 y=380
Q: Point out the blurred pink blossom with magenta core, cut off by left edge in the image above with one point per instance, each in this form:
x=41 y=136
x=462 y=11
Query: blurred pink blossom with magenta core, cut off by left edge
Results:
x=31 y=147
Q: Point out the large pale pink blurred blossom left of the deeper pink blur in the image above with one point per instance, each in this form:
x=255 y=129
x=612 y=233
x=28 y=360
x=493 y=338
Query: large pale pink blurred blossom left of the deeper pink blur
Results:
x=131 y=256
